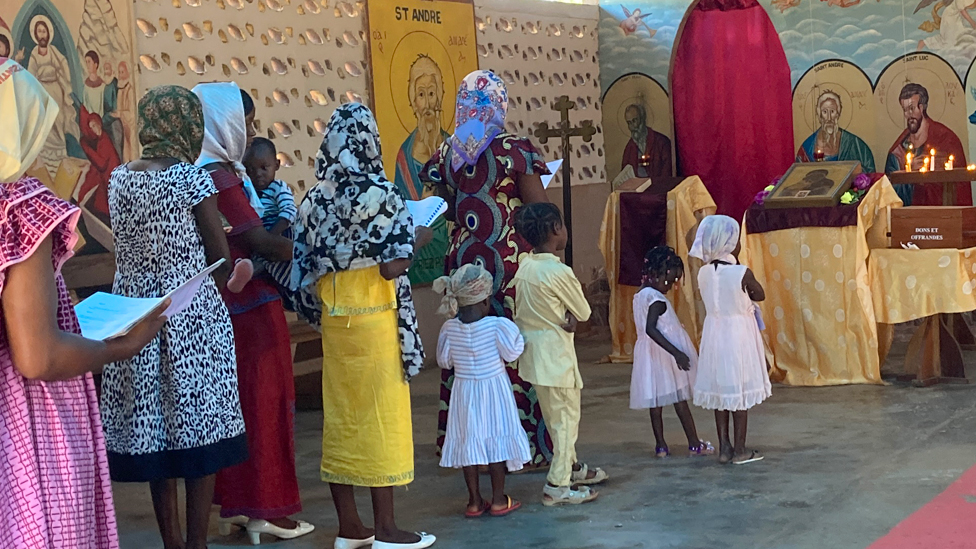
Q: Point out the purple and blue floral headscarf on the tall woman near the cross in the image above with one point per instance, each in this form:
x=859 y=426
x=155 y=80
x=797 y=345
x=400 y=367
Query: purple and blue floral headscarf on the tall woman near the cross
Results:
x=482 y=105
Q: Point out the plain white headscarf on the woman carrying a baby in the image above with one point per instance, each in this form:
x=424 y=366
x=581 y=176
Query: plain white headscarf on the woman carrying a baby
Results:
x=225 y=132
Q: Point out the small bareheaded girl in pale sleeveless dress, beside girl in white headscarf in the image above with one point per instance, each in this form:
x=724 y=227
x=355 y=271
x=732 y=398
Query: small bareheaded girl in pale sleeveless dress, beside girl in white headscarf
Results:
x=665 y=361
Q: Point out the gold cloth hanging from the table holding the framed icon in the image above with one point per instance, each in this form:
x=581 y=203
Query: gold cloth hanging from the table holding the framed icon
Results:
x=819 y=312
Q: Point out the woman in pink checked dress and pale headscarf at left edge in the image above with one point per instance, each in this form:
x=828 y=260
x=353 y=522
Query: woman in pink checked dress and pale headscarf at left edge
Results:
x=53 y=465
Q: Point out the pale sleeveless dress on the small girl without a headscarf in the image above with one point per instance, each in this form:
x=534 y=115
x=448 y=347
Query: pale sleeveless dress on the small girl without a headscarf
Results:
x=656 y=379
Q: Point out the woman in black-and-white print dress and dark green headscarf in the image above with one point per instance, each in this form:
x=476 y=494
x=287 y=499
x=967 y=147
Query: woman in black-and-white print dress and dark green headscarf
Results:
x=173 y=411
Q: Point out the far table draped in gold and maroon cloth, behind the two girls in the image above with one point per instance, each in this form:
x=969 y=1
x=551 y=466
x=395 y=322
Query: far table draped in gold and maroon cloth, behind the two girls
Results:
x=632 y=224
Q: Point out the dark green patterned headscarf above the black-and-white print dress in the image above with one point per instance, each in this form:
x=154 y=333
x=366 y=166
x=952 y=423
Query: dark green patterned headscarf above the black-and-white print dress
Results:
x=171 y=124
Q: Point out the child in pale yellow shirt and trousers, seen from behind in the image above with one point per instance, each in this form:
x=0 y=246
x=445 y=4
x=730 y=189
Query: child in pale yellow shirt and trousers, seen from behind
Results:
x=549 y=301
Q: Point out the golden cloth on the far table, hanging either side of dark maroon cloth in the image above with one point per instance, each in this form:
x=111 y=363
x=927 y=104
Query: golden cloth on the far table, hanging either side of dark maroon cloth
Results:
x=687 y=203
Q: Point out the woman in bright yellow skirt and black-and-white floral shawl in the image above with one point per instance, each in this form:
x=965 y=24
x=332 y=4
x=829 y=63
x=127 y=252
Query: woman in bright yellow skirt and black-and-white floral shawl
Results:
x=354 y=241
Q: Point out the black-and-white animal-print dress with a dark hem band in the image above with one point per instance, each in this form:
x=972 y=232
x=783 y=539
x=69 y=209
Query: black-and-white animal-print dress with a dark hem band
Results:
x=173 y=410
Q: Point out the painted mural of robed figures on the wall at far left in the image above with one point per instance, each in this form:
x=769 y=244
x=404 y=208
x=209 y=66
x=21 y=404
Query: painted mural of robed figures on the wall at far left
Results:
x=81 y=51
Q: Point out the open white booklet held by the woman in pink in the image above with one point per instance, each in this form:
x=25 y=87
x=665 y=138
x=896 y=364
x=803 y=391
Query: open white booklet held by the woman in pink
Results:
x=104 y=316
